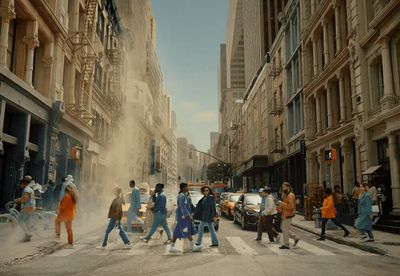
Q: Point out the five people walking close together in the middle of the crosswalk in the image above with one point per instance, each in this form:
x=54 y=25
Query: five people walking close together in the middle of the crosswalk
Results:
x=157 y=212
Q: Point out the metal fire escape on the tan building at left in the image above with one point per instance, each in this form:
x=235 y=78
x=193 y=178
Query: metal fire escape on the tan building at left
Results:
x=83 y=43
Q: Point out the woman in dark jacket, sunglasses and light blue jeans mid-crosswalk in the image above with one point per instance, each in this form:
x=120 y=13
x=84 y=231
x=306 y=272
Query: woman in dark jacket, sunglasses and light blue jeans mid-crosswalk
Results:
x=206 y=212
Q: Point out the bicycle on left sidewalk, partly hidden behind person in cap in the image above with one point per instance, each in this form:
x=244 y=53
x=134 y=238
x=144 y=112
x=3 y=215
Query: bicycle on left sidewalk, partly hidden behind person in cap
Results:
x=41 y=221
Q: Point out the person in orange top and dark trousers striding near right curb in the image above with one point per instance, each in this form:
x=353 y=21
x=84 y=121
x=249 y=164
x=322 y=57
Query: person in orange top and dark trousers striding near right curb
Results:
x=328 y=212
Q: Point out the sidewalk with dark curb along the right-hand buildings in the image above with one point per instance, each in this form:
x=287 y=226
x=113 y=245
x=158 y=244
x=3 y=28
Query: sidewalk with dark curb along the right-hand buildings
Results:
x=378 y=247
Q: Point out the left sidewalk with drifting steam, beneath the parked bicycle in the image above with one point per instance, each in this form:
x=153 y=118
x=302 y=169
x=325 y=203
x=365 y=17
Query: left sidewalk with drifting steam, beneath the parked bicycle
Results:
x=13 y=250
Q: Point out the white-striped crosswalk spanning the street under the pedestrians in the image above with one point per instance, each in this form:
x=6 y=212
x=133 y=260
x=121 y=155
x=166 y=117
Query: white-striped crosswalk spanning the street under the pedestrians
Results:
x=234 y=245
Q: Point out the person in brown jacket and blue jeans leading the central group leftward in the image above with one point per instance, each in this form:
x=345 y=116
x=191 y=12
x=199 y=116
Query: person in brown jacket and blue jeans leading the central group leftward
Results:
x=115 y=215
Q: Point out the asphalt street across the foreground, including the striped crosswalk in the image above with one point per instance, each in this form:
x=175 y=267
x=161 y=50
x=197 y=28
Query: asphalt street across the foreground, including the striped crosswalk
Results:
x=238 y=254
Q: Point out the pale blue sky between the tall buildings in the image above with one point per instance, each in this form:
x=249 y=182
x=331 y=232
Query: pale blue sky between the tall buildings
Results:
x=189 y=33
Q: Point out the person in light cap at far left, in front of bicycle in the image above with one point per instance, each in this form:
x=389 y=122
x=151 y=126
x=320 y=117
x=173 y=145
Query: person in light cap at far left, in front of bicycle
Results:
x=27 y=201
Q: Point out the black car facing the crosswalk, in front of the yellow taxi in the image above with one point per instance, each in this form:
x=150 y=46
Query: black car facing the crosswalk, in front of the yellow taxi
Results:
x=246 y=210
